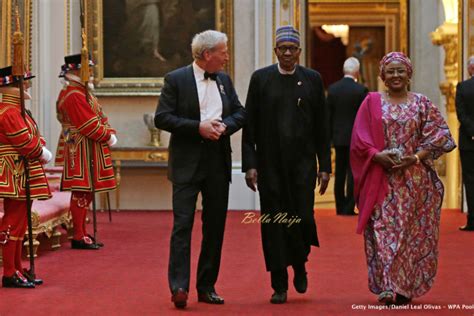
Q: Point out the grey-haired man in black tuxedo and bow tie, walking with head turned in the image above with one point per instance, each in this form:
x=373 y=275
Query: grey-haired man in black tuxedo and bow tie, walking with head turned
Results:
x=200 y=108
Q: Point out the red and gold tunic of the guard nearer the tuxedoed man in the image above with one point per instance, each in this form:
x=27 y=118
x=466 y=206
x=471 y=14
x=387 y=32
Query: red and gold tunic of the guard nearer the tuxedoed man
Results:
x=84 y=128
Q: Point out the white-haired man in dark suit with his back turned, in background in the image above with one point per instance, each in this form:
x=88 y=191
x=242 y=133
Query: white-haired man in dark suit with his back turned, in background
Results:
x=344 y=98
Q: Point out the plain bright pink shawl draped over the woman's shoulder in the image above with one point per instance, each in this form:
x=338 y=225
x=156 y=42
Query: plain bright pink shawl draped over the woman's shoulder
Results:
x=370 y=181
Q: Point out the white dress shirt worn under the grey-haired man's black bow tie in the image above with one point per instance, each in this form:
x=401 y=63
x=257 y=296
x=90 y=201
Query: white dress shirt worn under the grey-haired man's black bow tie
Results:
x=210 y=102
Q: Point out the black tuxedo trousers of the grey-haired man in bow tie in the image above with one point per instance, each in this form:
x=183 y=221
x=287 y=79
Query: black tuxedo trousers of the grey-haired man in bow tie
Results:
x=211 y=179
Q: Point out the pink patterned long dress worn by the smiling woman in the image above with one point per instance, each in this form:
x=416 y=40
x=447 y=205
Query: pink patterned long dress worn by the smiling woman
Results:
x=401 y=237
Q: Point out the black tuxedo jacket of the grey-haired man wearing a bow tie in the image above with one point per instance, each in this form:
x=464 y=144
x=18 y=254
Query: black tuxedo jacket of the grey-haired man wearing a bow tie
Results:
x=178 y=112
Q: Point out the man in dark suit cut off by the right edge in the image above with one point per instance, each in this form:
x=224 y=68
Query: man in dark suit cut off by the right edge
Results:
x=465 y=112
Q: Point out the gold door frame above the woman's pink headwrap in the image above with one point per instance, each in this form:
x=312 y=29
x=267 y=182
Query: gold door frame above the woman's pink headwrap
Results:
x=391 y=14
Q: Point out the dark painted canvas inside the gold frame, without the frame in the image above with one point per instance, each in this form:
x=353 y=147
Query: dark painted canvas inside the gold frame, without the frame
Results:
x=148 y=38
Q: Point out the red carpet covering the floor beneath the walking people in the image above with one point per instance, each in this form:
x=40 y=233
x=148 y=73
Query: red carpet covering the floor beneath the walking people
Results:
x=129 y=275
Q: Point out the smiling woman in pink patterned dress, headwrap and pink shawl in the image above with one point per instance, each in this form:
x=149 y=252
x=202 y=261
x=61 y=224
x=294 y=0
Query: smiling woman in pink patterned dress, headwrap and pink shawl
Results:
x=397 y=136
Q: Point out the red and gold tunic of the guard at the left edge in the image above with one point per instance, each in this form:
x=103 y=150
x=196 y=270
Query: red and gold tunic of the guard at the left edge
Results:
x=17 y=140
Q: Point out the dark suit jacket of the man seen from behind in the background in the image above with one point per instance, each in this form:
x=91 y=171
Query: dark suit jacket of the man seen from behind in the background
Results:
x=344 y=99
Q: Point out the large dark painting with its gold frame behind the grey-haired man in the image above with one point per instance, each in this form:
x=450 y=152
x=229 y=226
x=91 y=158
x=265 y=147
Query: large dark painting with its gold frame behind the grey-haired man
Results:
x=136 y=42
